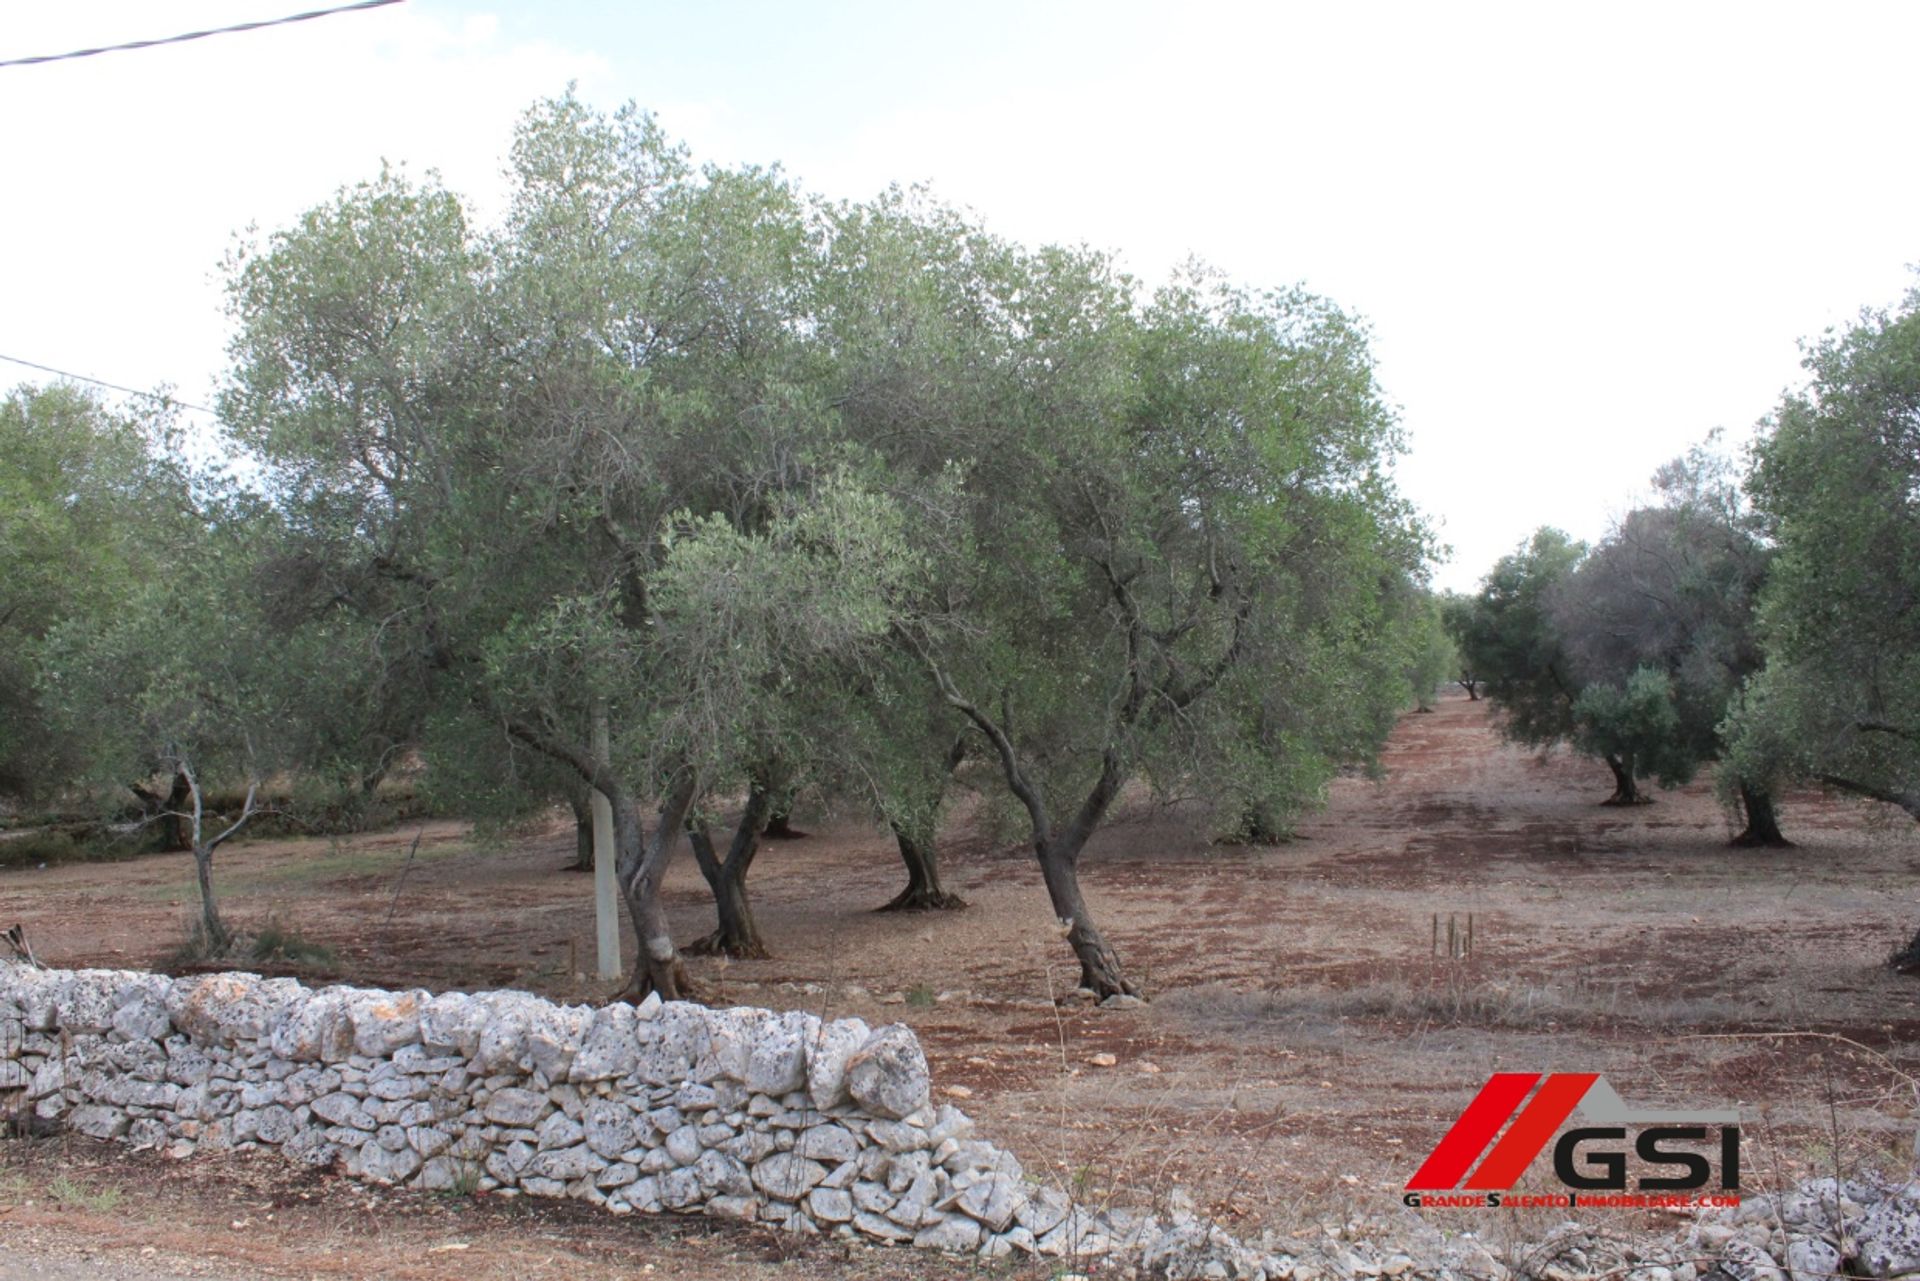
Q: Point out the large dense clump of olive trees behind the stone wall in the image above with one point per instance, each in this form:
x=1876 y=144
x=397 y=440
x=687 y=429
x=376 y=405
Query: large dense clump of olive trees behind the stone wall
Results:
x=800 y=500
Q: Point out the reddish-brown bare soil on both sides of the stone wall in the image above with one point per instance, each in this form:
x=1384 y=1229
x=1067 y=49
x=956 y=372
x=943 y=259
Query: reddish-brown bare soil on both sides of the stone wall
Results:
x=1305 y=1046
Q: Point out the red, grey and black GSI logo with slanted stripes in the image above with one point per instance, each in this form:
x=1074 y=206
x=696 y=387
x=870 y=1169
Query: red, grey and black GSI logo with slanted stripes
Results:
x=1585 y=1159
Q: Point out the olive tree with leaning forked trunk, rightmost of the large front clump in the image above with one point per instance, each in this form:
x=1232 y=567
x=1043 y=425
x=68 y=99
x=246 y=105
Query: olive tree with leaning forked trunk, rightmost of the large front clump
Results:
x=1178 y=495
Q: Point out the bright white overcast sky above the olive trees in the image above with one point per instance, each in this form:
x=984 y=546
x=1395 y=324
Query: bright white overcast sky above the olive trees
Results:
x=1585 y=235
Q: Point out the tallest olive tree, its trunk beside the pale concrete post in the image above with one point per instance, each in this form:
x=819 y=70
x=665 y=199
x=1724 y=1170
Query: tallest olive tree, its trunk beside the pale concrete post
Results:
x=500 y=445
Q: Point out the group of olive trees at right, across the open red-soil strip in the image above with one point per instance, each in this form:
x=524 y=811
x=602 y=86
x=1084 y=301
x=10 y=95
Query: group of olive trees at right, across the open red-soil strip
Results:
x=1762 y=619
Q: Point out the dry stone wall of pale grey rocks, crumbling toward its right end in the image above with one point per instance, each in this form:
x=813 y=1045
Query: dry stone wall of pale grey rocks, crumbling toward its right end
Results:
x=817 y=1126
